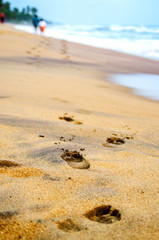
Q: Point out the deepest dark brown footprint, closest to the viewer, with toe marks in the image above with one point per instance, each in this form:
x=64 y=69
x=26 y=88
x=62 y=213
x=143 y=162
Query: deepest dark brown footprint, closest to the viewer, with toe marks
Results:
x=104 y=214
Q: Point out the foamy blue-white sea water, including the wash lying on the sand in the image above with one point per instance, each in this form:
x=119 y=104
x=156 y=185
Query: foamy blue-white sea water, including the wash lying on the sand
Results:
x=137 y=40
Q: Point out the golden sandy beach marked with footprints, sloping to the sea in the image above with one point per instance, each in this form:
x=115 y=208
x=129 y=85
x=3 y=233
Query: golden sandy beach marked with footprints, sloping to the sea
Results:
x=79 y=155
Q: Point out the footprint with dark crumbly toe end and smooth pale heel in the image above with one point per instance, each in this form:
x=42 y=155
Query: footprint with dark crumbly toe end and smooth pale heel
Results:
x=75 y=160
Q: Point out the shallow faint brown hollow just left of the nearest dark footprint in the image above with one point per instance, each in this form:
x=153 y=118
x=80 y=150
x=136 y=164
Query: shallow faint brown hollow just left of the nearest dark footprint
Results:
x=69 y=226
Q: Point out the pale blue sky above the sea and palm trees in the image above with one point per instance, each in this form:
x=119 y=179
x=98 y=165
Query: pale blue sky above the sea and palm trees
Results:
x=91 y=12
